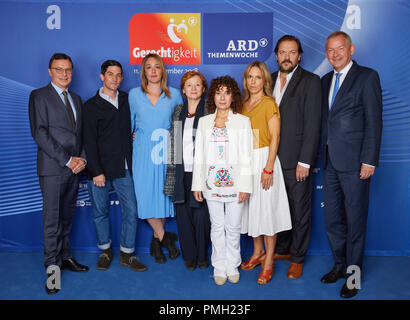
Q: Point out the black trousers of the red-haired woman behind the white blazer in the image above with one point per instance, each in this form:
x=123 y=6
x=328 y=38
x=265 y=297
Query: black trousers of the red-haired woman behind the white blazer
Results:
x=193 y=225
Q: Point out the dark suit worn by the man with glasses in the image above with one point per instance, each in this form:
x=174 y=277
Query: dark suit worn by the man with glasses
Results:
x=57 y=140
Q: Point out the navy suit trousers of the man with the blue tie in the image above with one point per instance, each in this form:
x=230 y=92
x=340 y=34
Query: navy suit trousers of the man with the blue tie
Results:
x=346 y=199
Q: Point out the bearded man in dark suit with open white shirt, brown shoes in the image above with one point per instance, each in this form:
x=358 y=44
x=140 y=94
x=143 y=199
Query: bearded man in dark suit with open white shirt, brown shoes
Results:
x=298 y=94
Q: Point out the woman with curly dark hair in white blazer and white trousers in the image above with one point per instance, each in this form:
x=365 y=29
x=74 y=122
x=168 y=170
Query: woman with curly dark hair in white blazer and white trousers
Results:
x=223 y=173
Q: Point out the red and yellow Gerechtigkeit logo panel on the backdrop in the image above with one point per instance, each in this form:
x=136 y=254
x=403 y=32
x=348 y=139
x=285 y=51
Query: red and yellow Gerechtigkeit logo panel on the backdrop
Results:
x=176 y=37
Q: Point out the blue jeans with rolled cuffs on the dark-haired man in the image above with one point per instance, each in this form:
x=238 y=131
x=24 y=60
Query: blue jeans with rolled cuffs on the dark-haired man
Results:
x=124 y=187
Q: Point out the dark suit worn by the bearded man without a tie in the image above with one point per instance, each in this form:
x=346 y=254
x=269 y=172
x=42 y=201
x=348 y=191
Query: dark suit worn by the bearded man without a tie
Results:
x=300 y=114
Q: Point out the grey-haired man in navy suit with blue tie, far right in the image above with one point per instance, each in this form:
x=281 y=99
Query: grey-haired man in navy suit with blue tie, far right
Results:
x=351 y=137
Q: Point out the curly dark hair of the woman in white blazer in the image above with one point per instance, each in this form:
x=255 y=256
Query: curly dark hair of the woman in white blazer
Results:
x=231 y=86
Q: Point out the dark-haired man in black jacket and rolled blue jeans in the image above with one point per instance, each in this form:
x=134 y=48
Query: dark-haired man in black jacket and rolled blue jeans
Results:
x=108 y=146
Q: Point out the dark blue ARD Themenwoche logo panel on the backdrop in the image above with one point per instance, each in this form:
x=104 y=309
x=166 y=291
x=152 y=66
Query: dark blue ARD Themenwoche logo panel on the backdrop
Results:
x=237 y=38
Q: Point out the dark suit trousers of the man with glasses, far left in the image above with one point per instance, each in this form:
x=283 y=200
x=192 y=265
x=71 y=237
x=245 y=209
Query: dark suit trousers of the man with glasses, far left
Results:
x=59 y=200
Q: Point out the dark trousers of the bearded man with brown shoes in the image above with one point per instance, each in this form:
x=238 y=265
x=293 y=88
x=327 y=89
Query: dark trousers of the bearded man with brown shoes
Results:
x=296 y=241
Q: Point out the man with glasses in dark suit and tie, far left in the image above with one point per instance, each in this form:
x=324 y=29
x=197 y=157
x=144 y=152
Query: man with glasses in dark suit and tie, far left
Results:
x=55 y=121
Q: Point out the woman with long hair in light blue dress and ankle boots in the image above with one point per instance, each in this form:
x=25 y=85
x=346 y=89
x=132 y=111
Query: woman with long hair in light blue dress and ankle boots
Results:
x=151 y=107
